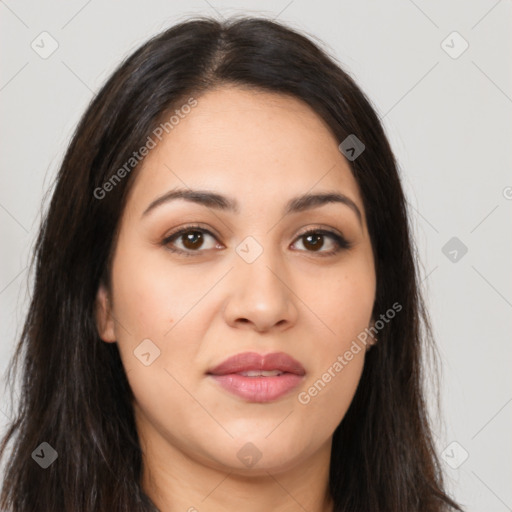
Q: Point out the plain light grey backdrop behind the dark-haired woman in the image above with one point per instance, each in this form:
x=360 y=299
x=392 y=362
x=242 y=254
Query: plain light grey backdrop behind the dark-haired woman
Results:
x=438 y=74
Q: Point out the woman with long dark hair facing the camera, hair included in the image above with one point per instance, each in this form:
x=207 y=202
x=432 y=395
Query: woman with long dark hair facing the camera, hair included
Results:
x=226 y=312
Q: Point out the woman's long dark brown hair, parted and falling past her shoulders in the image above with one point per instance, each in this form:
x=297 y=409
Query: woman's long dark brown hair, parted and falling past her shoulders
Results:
x=74 y=392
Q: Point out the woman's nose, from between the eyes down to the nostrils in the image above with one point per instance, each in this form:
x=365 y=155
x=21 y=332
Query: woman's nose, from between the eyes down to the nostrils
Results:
x=261 y=297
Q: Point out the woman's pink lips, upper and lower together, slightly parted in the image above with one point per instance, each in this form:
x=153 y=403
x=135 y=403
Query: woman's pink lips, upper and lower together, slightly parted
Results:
x=258 y=389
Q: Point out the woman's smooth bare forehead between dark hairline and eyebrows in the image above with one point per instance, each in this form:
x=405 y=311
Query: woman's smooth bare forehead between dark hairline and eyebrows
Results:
x=254 y=145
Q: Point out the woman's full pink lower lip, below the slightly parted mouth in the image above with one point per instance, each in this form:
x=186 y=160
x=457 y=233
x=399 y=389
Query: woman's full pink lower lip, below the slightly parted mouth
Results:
x=259 y=389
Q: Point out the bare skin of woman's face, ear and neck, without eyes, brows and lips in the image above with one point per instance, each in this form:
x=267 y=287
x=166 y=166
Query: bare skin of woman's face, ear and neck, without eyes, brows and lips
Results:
x=261 y=149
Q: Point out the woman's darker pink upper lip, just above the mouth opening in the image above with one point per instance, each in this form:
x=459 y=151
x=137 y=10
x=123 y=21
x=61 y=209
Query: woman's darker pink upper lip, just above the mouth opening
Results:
x=248 y=361
